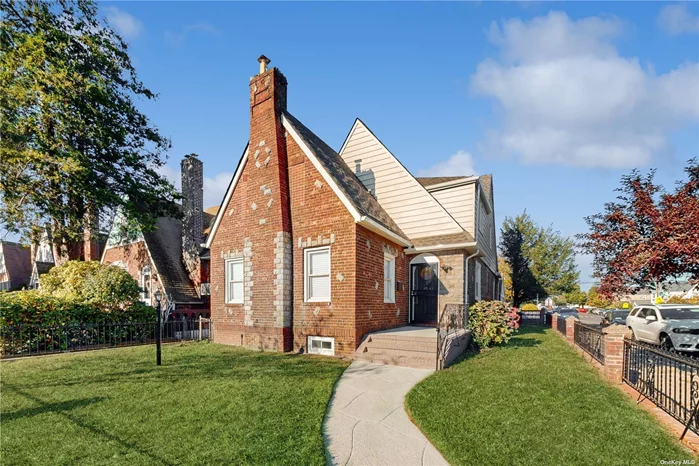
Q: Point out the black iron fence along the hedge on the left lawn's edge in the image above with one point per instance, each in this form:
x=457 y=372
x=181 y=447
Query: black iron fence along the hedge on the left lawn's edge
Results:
x=30 y=340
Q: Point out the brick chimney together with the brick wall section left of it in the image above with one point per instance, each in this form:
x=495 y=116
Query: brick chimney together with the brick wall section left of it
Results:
x=254 y=222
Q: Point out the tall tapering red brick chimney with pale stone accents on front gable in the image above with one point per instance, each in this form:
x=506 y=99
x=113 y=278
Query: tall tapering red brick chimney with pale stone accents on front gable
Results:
x=269 y=227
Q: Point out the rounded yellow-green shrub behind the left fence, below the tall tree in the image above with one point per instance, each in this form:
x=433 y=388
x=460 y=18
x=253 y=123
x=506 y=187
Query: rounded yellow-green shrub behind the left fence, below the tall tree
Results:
x=105 y=286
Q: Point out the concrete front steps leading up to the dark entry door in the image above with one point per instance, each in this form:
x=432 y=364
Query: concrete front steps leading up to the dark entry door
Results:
x=414 y=347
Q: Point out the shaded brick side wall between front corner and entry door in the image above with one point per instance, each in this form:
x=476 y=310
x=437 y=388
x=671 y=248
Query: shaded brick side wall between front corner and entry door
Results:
x=372 y=313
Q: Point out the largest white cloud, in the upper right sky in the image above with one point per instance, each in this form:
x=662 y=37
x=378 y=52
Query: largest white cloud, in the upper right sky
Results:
x=569 y=98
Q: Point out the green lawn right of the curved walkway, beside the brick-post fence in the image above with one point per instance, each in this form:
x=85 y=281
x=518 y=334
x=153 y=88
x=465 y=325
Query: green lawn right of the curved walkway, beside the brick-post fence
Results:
x=535 y=402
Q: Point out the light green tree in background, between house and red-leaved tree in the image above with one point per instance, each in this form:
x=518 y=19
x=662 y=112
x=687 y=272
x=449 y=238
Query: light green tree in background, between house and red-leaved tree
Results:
x=550 y=255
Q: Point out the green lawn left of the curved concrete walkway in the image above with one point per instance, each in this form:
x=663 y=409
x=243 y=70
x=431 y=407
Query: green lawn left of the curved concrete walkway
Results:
x=207 y=404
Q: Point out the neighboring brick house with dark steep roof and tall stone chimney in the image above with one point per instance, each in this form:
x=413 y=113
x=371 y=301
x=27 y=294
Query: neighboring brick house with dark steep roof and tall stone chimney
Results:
x=169 y=258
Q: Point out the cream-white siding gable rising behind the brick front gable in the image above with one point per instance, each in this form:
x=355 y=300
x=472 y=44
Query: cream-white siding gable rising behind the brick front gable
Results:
x=415 y=211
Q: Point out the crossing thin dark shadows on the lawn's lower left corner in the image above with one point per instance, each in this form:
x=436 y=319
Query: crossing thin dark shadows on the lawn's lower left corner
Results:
x=79 y=421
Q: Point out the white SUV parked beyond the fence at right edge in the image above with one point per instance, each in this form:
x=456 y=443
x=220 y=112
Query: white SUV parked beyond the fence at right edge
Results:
x=673 y=326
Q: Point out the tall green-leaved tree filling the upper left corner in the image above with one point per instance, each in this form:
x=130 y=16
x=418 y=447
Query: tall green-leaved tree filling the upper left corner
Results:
x=74 y=146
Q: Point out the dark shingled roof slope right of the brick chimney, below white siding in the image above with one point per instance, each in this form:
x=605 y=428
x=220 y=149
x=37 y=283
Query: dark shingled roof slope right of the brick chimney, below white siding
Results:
x=344 y=178
